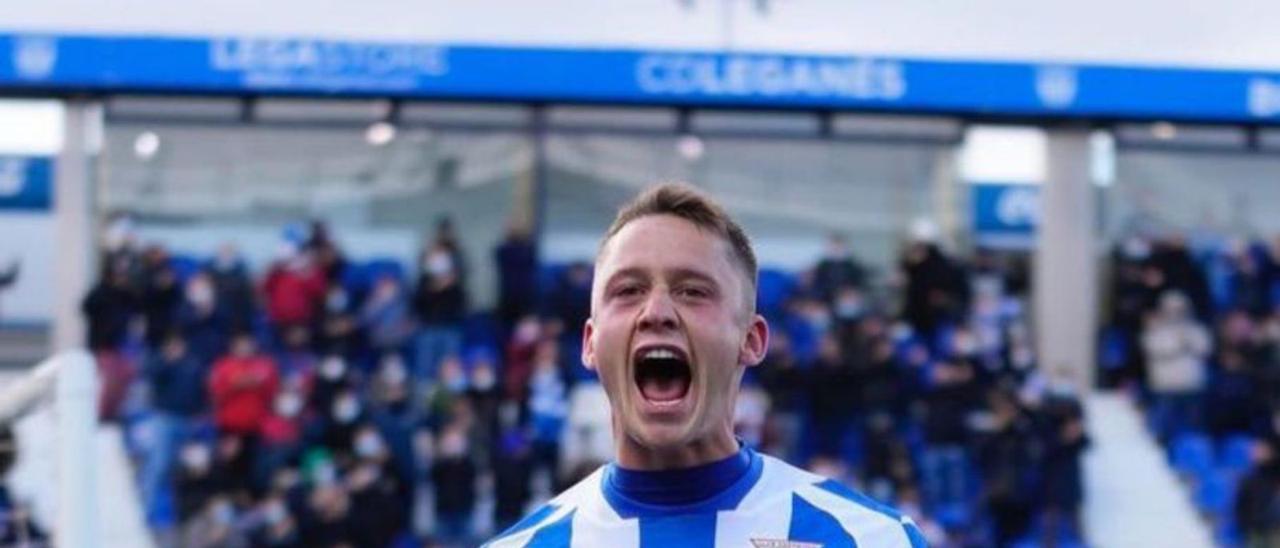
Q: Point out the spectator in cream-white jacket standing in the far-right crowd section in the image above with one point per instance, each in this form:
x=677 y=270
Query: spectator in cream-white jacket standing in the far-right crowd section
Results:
x=1176 y=346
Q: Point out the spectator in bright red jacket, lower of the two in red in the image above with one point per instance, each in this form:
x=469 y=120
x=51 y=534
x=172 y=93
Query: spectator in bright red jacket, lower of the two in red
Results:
x=243 y=389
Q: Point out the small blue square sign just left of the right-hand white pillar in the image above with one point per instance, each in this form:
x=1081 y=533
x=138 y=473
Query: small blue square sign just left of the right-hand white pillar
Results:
x=1005 y=216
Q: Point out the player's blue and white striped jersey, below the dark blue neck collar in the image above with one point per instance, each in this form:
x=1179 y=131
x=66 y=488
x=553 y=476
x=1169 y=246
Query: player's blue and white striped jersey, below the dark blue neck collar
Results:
x=774 y=505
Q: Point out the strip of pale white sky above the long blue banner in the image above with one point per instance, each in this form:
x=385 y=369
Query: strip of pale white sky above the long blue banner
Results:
x=1237 y=34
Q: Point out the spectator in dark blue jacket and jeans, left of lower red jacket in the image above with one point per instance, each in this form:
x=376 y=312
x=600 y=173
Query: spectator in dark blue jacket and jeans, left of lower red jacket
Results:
x=177 y=383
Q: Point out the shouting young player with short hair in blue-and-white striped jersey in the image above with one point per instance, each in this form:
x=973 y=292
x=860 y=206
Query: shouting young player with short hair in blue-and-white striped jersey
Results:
x=673 y=330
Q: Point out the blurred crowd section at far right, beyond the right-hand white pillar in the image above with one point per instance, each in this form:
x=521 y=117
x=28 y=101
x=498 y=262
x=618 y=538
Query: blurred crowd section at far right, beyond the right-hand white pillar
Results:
x=1195 y=332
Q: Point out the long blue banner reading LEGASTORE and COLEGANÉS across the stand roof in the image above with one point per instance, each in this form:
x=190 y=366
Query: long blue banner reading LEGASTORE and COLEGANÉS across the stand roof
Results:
x=237 y=66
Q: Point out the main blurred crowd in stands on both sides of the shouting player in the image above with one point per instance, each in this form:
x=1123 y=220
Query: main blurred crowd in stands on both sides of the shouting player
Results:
x=330 y=403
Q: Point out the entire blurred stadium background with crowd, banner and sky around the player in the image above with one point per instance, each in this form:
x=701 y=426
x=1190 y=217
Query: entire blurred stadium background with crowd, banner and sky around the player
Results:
x=314 y=275
